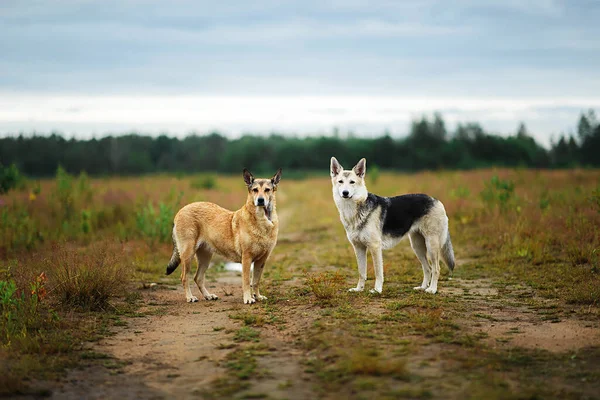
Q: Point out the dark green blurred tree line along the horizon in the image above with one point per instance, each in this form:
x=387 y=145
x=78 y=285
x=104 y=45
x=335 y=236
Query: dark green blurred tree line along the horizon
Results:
x=429 y=145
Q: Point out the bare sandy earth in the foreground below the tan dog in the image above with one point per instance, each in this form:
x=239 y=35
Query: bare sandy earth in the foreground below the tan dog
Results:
x=177 y=351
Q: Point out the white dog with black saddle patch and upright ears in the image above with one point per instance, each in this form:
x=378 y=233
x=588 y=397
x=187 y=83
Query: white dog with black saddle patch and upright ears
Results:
x=376 y=223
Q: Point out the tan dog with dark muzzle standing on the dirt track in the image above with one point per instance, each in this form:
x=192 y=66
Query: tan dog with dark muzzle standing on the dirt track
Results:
x=248 y=236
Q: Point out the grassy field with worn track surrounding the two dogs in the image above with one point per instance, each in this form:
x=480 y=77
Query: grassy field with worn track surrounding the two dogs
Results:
x=519 y=318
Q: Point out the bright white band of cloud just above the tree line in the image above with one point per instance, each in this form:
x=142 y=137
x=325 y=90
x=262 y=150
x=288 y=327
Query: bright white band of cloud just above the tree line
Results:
x=234 y=115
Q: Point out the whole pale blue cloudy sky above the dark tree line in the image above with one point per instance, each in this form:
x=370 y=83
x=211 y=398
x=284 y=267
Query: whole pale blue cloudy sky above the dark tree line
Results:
x=91 y=68
